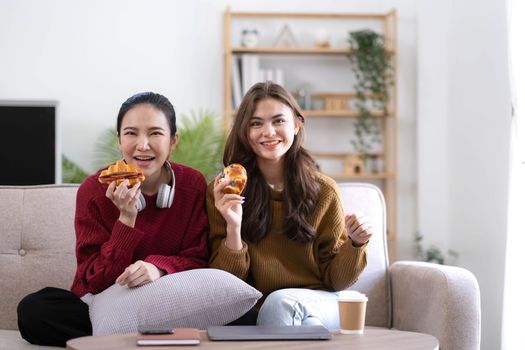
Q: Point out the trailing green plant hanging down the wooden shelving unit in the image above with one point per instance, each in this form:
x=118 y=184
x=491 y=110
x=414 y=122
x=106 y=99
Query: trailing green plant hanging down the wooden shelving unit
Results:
x=373 y=68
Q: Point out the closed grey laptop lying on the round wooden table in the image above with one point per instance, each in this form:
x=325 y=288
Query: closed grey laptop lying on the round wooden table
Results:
x=218 y=333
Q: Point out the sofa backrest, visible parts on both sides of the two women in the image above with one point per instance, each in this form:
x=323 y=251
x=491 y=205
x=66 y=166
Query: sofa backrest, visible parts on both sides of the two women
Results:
x=37 y=245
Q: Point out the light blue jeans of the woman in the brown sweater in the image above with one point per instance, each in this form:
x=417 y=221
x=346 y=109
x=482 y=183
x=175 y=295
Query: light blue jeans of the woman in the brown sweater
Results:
x=298 y=306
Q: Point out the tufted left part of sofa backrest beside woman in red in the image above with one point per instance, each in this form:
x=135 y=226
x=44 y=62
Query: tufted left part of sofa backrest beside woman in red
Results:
x=37 y=243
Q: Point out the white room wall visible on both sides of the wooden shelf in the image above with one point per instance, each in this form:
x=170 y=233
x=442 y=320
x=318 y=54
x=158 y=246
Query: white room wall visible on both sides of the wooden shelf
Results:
x=91 y=55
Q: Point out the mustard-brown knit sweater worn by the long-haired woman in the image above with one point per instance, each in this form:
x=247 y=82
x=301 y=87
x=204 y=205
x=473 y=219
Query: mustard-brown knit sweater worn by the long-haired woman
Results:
x=330 y=262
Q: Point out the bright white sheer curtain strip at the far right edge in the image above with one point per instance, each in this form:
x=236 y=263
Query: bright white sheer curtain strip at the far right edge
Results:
x=513 y=335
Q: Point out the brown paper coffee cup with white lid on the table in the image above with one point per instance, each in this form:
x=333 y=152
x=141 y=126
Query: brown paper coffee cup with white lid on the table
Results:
x=352 y=312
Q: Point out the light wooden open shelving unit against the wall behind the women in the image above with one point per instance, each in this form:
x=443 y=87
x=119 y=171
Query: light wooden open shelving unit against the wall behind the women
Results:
x=336 y=105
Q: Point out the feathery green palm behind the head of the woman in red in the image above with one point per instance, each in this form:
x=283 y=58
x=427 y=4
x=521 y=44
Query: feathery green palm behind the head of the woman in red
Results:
x=200 y=144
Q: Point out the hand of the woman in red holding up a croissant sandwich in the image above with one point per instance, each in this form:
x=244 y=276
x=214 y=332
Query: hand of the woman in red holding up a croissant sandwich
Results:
x=125 y=199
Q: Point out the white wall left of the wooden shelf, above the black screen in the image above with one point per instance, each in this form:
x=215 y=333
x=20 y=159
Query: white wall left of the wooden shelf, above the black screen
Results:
x=91 y=55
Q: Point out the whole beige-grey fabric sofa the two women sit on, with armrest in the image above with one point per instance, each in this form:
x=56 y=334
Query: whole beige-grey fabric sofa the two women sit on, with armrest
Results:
x=37 y=250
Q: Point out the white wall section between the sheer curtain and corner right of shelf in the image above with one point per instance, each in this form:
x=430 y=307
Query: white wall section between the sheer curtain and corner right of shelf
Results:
x=463 y=133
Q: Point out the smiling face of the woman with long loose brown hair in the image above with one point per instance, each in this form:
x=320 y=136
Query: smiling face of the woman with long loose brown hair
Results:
x=271 y=130
